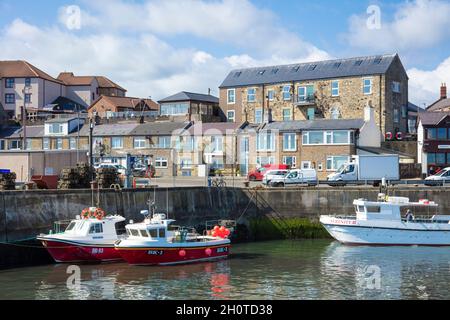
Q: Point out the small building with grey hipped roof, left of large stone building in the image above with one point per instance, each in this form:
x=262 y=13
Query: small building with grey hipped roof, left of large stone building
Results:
x=188 y=106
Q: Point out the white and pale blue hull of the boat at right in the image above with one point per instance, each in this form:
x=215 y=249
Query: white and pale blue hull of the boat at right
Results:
x=400 y=234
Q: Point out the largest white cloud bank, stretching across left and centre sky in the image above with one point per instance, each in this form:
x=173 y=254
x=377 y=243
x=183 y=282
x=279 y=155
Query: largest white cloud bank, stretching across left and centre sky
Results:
x=130 y=43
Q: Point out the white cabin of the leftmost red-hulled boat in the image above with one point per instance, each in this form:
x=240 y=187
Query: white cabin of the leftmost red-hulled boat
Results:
x=110 y=226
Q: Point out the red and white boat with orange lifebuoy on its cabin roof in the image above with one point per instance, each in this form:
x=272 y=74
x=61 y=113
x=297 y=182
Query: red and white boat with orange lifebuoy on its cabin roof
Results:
x=88 y=238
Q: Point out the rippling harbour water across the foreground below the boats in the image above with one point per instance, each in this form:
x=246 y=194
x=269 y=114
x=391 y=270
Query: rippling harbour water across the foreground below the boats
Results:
x=302 y=269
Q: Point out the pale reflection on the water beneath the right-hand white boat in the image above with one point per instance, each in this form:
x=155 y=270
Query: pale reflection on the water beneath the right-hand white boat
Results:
x=402 y=272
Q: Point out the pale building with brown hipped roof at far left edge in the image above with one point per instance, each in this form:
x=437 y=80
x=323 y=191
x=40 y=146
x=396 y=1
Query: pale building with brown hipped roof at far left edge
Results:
x=22 y=84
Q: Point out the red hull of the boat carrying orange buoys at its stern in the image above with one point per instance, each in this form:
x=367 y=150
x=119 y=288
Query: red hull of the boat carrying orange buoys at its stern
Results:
x=172 y=255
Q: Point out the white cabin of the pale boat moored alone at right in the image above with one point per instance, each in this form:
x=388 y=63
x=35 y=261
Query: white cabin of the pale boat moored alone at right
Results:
x=390 y=208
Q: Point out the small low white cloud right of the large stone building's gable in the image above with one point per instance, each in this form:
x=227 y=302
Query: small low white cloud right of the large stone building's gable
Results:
x=424 y=86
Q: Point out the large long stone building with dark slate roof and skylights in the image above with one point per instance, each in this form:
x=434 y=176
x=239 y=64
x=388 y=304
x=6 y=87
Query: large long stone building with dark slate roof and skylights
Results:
x=335 y=89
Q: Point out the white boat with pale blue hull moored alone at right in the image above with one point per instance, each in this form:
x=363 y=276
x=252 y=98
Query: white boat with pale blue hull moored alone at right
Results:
x=390 y=221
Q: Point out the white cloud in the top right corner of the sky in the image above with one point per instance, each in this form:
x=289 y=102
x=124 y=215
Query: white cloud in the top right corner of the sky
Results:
x=416 y=25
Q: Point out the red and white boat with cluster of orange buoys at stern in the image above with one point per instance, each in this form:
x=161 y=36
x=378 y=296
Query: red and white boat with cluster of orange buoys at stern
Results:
x=156 y=242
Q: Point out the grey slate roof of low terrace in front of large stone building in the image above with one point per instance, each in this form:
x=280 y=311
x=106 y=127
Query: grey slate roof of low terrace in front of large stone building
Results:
x=321 y=124
